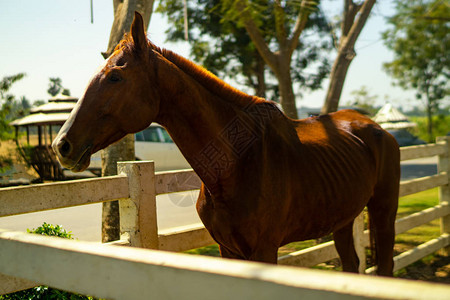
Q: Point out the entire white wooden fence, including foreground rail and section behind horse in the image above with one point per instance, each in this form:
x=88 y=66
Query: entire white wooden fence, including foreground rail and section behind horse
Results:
x=136 y=187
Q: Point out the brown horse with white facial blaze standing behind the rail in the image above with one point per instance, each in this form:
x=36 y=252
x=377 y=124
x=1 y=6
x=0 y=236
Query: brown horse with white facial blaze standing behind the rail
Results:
x=267 y=180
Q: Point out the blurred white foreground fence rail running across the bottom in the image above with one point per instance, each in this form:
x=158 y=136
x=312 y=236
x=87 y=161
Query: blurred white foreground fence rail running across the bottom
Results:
x=133 y=273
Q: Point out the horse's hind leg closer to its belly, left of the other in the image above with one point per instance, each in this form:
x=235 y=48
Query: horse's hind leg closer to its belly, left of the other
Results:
x=343 y=240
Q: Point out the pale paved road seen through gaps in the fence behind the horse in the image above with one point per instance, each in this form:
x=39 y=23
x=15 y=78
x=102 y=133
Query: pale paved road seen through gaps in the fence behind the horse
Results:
x=173 y=210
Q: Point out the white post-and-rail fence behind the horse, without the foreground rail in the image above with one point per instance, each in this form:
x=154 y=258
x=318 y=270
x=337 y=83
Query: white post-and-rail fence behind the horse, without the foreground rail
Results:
x=138 y=209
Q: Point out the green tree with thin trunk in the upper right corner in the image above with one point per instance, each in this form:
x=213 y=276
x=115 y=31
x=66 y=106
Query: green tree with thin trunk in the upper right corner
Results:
x=419 y=37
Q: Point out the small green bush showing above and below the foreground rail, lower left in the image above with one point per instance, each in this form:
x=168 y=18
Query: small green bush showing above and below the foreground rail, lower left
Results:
x=45 y=292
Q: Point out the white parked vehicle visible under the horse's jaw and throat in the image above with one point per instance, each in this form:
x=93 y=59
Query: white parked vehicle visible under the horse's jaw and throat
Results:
x=153 y=143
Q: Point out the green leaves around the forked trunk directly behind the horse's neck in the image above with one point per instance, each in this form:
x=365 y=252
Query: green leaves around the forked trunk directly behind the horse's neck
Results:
x=221 y=44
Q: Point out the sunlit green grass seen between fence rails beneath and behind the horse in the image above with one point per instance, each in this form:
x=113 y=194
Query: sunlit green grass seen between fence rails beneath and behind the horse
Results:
x=405 y=241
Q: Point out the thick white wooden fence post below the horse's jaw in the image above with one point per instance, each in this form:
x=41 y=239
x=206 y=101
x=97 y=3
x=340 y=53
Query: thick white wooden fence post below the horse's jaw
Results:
x=138 y=213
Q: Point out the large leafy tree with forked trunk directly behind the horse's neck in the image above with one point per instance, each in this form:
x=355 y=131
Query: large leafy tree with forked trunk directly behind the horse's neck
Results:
x=223 y=41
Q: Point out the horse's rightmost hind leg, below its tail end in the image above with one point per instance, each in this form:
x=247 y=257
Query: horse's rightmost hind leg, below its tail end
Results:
x=382 y=212
